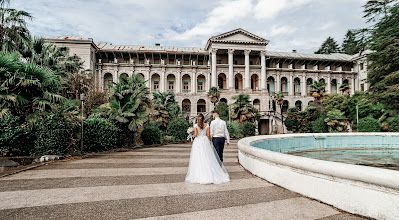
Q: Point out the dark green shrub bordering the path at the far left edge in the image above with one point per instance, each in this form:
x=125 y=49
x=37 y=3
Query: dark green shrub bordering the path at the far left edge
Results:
x=15 y=138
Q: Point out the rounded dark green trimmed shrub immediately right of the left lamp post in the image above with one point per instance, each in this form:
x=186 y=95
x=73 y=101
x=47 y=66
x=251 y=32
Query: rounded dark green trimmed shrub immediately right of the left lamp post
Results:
x=99 y=134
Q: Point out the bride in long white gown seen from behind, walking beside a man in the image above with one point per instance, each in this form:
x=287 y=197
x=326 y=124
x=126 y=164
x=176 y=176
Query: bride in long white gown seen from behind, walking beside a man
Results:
x=205 y=166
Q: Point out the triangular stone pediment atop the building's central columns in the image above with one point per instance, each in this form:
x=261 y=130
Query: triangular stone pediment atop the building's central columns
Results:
x=238 y=36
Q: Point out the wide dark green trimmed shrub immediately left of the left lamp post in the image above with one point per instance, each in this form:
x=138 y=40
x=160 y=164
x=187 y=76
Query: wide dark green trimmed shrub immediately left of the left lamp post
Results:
x=55 y=133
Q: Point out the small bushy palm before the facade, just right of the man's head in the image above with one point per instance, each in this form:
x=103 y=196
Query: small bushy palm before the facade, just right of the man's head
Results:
x=242 y=110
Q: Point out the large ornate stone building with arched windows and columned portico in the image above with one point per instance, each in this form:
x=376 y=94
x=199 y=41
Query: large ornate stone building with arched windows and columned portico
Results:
x=236 y=62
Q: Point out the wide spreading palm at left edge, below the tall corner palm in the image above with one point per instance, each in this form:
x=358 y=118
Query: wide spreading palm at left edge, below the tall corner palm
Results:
x=26 y=88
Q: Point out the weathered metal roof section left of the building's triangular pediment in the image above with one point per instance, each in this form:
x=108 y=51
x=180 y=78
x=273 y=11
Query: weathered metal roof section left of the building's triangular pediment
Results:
x=157 y=49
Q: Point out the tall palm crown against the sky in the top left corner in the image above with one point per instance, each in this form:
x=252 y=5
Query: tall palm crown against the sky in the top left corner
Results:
x=13 y=27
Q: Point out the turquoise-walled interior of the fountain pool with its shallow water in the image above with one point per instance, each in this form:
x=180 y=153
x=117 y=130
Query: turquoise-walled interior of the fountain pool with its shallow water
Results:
x=377 y=151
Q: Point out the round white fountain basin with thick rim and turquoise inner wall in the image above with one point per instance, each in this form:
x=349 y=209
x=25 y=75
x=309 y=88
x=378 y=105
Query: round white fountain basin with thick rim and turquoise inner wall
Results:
x=363 y=190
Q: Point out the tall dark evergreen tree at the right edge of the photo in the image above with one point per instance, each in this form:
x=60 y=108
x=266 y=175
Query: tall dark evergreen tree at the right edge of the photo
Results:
x=383 y=68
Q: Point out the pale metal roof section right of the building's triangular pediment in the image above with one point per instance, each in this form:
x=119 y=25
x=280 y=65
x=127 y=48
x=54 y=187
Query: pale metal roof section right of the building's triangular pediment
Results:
x=292 y=55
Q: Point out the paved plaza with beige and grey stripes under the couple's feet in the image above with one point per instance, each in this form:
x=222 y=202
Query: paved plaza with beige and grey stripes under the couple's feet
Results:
x=149 y=183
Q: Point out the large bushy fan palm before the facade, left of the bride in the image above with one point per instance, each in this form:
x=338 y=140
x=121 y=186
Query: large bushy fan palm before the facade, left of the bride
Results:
x=129 y=106
